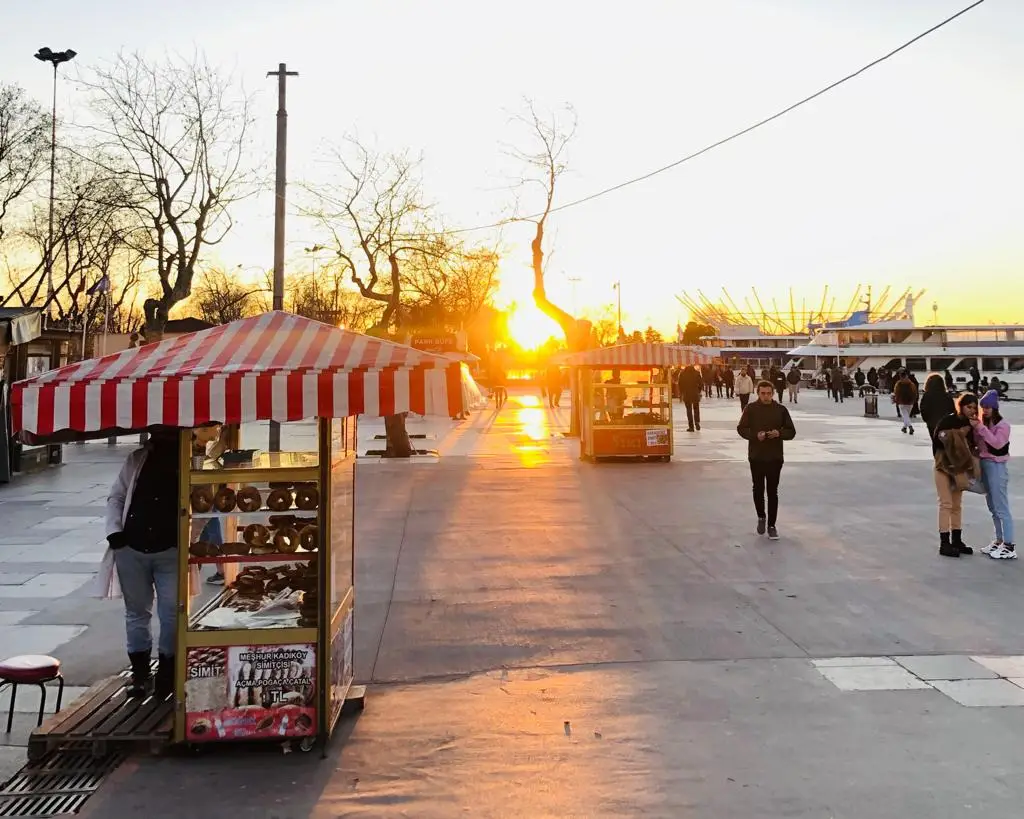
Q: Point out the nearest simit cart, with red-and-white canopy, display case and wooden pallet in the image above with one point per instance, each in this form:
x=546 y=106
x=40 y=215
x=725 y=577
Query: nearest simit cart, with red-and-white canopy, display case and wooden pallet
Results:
x=271 y=655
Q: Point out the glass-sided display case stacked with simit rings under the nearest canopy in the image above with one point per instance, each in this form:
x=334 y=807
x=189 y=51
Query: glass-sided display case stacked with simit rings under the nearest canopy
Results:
x=268 y=655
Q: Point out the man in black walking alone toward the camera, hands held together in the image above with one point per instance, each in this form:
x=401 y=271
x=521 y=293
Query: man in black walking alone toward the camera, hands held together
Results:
x=765 y=425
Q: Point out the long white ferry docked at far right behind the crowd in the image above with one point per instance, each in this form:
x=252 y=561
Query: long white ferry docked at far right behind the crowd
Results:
x=998 y=351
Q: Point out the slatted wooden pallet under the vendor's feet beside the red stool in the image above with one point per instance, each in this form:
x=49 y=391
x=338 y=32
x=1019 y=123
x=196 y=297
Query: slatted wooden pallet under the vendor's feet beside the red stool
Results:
x=105 y=717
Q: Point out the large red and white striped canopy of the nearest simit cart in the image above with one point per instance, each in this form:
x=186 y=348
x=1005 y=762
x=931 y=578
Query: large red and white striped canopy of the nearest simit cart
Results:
x=274 y=367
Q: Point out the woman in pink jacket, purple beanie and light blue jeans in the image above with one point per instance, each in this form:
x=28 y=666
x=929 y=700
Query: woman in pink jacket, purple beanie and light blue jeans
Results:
x=992 y=434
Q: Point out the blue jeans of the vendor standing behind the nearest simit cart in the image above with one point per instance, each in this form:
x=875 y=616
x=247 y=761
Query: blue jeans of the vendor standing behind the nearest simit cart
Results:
x=140 y=575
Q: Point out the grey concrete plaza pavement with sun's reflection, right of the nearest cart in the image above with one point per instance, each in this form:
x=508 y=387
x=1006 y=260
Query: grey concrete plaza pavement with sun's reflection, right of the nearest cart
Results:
x=547 y=638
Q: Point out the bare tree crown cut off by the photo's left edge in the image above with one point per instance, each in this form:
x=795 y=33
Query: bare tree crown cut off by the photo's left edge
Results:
x=24 y=144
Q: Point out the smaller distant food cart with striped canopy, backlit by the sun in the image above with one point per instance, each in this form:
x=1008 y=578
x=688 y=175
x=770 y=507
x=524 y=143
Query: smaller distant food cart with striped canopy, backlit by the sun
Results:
x=625 y=400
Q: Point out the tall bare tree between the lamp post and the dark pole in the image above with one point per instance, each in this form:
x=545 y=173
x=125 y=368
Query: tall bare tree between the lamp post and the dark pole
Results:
x=174 y=136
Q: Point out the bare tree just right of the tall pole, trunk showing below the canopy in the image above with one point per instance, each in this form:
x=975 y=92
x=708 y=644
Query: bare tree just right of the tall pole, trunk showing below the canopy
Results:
x=377 y=222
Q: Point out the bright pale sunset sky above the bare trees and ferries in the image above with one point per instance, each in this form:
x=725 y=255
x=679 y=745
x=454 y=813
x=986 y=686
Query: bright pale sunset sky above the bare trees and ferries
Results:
x=910 y=177
